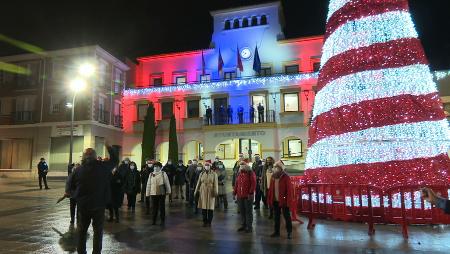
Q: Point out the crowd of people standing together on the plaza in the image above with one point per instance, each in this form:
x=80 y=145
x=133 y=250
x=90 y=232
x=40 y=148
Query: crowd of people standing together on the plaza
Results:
x=96 y=185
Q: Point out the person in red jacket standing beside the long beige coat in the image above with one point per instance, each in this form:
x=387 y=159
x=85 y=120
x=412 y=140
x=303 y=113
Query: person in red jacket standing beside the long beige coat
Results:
x=244 y=190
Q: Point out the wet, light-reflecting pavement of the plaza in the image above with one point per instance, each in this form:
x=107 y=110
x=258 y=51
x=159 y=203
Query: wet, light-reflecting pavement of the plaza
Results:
x=31 y=222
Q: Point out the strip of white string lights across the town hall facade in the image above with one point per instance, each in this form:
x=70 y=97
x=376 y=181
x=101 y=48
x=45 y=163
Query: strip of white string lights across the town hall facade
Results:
x=281 y=80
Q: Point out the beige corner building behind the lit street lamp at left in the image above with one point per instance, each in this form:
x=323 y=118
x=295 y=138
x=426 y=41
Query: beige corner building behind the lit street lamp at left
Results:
x=35 y=119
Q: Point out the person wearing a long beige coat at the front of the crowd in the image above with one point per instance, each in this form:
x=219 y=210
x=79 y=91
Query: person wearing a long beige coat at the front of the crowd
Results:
x=207 y=190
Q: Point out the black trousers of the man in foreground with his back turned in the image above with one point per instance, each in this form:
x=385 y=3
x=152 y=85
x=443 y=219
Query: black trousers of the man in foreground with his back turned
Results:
x=97 y=217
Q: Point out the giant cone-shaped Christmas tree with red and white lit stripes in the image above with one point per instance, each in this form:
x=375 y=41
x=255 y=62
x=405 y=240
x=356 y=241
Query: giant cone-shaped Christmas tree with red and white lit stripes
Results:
x=377 y=117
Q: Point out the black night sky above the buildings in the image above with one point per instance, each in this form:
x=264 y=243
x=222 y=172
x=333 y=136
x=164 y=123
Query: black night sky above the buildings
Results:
x=143 y=27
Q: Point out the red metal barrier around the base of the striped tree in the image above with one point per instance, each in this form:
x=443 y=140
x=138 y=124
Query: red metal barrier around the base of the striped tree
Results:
x=368 y=204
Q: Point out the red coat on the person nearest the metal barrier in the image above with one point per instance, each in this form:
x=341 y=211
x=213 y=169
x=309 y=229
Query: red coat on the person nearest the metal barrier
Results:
x=285 y=191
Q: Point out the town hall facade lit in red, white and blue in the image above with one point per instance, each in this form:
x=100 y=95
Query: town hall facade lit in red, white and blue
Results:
x=186 y=84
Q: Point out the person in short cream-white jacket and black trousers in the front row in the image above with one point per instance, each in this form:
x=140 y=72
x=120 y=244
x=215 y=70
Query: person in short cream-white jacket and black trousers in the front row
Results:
x=158 y=186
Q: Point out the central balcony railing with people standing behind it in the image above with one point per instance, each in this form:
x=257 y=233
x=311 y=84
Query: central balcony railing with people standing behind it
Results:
x=219 y=118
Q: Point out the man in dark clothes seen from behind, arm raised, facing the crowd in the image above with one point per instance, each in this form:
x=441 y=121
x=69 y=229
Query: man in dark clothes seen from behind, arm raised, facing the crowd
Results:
x=92 y=181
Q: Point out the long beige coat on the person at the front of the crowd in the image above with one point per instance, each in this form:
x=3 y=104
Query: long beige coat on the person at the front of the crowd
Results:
x=207 y=189
